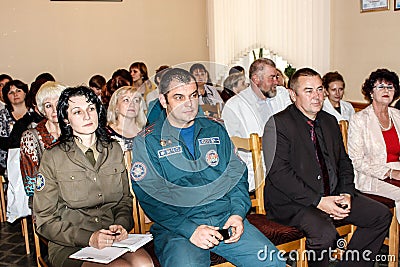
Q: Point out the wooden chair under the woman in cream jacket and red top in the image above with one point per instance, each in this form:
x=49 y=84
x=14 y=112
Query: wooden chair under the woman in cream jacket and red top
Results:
x=392 y=241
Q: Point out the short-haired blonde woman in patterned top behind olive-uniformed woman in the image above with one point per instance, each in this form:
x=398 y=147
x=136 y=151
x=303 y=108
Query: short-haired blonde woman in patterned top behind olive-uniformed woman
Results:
x=43 y=136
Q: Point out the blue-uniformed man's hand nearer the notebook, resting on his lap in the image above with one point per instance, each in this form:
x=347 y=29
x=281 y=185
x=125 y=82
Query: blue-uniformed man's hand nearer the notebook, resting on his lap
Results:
x=206 y=237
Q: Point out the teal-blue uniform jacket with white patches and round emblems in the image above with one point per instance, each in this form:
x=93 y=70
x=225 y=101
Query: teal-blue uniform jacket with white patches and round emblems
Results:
x=179 y=191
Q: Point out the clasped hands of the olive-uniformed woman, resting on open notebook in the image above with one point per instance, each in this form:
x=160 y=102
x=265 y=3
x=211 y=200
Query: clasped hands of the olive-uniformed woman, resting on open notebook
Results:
x=106 y=237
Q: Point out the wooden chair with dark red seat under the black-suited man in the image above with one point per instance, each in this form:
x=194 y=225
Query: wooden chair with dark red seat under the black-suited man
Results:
x=285 y=238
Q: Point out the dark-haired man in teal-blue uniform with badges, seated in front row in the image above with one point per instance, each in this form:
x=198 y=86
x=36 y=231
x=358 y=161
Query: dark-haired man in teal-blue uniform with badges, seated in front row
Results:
x=190 y=183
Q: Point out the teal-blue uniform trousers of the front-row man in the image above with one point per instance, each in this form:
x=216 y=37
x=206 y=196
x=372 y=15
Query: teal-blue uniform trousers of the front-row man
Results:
x=252 y=249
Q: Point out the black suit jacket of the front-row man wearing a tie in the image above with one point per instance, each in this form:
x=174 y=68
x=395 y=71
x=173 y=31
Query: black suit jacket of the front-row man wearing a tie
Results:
x=294 y=178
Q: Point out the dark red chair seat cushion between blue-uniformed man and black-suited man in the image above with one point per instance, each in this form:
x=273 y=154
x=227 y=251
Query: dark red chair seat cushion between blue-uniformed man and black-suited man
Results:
x=275 y=232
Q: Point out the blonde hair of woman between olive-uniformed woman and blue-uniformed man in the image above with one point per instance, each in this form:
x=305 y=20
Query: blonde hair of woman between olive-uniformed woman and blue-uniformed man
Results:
x=112 y=113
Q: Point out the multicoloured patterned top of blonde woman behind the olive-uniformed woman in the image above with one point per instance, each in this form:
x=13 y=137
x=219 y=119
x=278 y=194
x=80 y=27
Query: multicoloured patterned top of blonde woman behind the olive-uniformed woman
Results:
x=33 y=143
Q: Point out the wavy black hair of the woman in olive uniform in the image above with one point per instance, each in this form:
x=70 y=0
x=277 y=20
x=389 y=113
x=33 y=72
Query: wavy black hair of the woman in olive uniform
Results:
x=62 y=113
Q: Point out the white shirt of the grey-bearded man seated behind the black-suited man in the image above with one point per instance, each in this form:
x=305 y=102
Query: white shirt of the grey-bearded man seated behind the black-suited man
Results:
x=245 y=113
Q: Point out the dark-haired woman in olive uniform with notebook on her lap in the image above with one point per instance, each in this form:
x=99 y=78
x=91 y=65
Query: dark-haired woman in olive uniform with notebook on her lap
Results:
x=82 y=195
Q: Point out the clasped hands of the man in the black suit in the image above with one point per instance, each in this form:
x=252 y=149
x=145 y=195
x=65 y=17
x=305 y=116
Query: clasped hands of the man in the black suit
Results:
x=330 y=205
